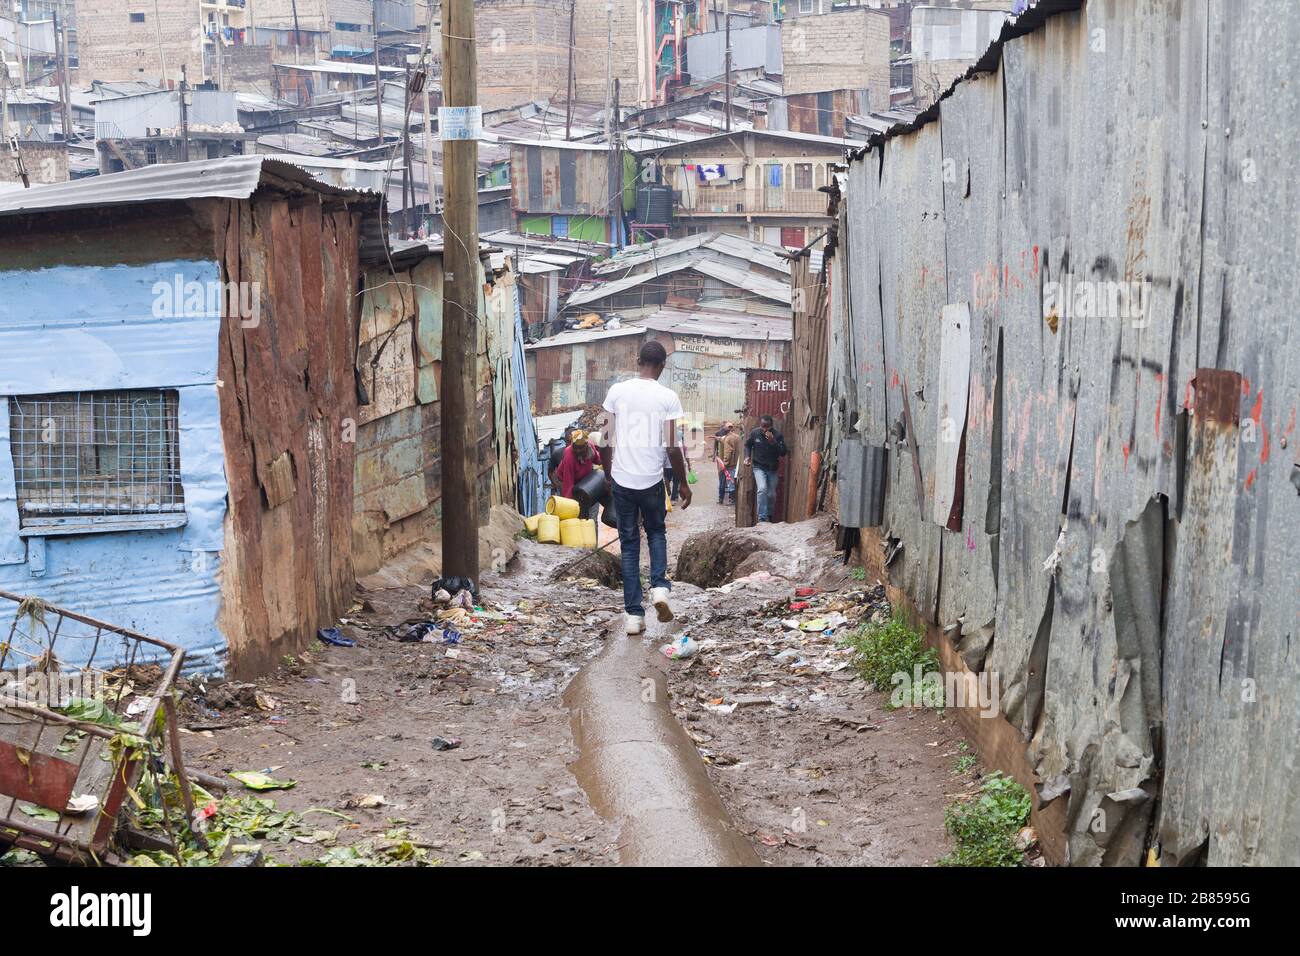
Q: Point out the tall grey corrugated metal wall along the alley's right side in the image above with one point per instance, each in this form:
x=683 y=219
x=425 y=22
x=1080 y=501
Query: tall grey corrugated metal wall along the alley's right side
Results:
x=1126 y=561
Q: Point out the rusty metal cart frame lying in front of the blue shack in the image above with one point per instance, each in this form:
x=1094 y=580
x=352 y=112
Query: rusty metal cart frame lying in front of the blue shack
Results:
x=32 y=737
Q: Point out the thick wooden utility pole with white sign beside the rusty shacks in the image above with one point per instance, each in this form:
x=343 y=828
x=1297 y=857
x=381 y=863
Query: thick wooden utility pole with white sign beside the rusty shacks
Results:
x=461 y=299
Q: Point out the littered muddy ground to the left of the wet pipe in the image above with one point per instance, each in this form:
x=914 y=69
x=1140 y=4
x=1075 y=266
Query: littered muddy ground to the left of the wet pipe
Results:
x=505 y=795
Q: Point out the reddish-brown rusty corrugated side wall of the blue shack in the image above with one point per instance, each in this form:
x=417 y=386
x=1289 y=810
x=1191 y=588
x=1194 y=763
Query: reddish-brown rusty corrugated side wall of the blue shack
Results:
x=289 y=388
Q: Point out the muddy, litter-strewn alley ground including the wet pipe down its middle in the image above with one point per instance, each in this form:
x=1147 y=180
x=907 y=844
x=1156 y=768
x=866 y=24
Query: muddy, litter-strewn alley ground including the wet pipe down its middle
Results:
x=536 y=733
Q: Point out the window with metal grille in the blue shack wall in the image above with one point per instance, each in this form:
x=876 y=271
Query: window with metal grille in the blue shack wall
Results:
x=97 y=453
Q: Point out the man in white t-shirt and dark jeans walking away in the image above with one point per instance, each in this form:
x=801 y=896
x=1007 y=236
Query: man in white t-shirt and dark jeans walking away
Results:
x=643 y=422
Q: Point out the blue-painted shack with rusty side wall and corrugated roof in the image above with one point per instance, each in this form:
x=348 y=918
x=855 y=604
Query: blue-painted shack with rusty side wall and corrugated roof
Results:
x=179 y=403
